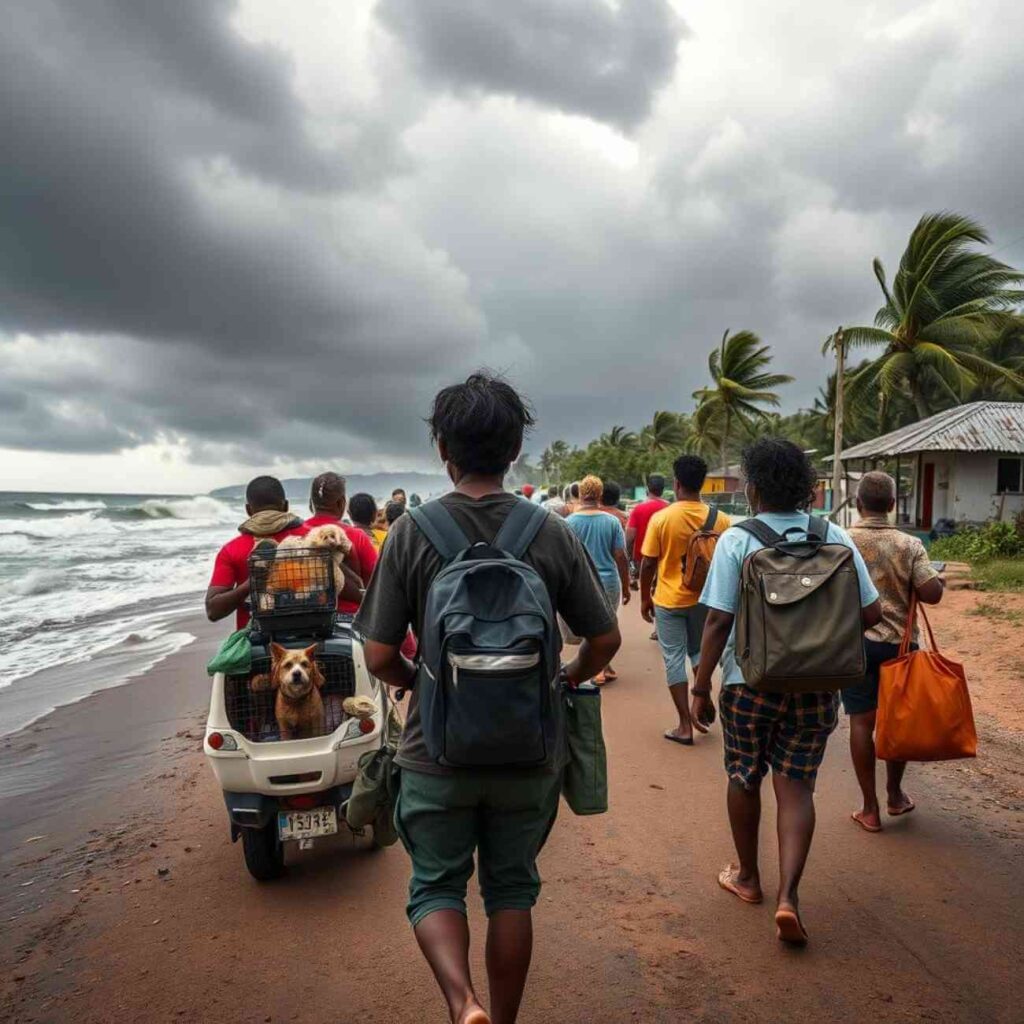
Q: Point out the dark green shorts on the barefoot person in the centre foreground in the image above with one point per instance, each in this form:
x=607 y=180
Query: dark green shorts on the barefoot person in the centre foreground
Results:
x=443 y=820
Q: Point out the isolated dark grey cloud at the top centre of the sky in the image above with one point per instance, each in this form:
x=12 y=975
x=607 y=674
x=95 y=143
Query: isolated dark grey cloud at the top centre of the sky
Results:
x=582 y=57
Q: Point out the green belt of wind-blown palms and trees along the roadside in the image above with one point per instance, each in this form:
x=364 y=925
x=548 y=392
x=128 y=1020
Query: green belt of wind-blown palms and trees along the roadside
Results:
x=949 y=331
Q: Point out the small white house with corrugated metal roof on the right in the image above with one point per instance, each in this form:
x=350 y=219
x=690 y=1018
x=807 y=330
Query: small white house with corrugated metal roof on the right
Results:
x=965 y=464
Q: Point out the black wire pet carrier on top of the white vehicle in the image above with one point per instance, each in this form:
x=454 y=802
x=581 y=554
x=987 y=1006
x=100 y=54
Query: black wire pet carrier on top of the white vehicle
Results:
x=292 y=591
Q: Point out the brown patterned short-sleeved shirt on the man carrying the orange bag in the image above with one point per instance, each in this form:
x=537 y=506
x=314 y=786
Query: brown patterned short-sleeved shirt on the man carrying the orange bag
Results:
x=899 y=564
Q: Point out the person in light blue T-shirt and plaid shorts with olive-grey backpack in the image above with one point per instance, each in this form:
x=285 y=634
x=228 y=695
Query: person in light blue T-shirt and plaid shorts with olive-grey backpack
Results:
x=800 y=596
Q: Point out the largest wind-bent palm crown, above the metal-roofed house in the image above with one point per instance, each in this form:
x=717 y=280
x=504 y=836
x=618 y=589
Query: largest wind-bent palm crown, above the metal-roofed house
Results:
x=948 y=304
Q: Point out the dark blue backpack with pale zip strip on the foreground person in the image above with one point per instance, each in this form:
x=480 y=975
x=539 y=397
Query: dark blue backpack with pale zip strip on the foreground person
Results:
x=490 y=648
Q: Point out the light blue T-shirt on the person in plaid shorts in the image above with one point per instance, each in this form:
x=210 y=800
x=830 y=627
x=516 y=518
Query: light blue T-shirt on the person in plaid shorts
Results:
x=722 y=587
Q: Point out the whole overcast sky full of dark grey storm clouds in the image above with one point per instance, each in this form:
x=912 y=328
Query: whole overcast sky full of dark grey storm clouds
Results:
x=243 y=236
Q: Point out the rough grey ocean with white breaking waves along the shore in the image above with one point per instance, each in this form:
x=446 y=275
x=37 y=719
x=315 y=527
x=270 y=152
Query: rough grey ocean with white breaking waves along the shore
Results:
x=94 y=589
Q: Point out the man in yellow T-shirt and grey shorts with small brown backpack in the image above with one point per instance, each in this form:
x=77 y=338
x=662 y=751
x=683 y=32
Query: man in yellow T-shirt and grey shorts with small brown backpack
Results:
x=677 y=549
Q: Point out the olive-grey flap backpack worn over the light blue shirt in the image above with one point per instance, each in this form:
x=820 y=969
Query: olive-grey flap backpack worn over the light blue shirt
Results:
x=799 y=623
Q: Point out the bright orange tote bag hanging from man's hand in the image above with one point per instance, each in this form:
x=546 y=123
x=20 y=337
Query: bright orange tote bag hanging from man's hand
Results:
x=924 y=706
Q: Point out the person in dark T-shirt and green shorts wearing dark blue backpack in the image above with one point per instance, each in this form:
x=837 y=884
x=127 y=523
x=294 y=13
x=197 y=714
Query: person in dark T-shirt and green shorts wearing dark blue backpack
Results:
x=481 y=575
